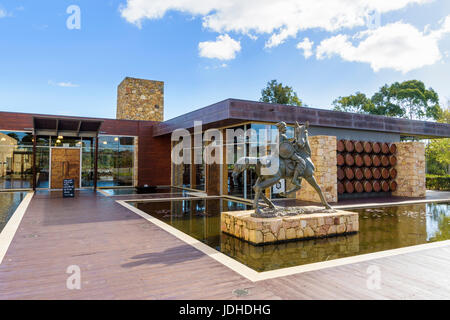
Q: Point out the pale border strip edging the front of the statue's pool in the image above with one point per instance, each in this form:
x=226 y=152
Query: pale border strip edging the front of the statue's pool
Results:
x=255 y=276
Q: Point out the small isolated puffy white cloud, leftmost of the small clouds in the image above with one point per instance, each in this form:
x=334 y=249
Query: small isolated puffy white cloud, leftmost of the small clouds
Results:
x=224 y=48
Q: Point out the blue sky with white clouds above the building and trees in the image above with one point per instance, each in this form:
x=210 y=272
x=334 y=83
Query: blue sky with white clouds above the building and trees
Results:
x=47 y=68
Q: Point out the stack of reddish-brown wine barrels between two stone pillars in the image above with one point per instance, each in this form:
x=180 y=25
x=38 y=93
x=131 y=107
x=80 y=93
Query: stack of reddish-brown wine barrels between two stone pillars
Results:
x=365 y=166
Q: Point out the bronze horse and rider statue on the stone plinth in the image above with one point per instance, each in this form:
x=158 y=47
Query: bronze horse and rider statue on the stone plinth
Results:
x=294 y=164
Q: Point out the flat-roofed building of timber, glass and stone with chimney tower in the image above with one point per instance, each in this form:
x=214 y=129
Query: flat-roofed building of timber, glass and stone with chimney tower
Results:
x=39 y=151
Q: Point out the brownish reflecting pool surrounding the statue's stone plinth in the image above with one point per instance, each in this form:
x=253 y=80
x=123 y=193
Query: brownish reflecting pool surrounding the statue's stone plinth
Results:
x=380 y=229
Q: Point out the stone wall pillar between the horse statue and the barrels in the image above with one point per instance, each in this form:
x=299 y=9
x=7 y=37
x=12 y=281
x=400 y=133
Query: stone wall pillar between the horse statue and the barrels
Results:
x=323 y=155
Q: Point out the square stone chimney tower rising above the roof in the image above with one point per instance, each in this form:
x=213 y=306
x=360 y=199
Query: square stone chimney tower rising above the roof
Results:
x=140 y=99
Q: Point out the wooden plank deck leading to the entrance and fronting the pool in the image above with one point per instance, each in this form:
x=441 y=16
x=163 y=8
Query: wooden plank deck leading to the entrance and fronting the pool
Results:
x=122 y=256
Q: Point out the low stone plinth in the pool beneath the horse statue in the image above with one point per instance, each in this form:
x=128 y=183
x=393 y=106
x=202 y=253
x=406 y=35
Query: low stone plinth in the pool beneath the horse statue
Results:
x=260 y=231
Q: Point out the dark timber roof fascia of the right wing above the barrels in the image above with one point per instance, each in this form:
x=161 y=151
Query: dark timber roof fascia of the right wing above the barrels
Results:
x=232 y=111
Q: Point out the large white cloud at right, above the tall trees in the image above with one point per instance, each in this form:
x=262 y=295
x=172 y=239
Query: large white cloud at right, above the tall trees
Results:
x=399 y=46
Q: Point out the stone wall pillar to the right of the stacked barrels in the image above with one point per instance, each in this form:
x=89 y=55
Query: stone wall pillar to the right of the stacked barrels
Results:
x=410 y=170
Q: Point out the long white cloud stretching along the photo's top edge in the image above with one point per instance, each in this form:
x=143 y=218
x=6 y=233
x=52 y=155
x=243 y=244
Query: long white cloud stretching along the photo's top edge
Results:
x=280 y=19
